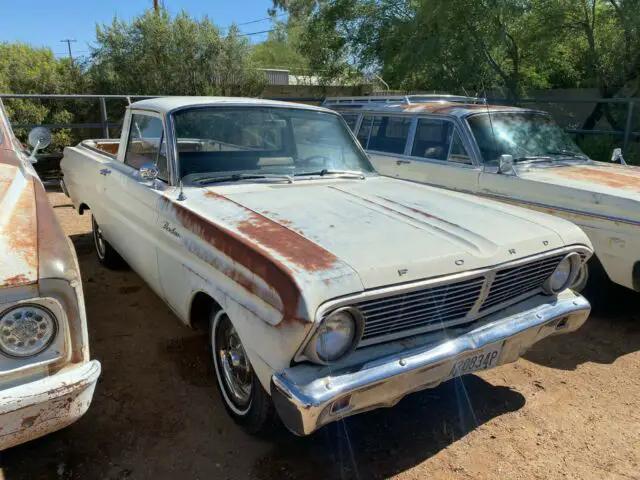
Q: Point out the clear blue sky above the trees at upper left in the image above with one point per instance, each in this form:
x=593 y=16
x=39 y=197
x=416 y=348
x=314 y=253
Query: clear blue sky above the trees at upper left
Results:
x=46 y=22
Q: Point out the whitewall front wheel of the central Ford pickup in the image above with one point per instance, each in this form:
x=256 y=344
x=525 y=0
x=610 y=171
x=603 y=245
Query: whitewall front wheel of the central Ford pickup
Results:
x=243 y=396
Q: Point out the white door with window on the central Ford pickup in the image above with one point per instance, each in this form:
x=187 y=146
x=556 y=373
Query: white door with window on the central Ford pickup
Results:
x=132 y=201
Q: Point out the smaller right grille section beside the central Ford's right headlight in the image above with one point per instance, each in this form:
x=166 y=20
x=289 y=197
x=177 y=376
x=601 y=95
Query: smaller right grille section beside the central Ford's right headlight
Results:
x=513 y=282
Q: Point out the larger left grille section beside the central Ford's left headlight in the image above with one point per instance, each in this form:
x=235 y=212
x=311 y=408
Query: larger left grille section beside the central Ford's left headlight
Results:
x=433 y=306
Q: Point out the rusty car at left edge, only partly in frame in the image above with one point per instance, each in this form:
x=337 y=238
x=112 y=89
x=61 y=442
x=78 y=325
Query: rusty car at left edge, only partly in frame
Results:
x=46 y=376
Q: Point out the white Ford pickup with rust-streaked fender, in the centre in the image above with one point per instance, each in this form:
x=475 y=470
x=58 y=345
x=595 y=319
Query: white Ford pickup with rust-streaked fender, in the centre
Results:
x=327 y=290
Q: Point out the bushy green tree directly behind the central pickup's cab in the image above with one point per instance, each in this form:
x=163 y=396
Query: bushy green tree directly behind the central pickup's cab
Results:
x=157 y=54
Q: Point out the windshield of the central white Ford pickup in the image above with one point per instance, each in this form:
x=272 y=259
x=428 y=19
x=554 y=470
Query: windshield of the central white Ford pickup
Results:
x=248 y=142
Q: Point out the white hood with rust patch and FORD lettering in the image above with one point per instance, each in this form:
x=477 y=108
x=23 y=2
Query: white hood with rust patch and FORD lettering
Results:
x=386 y=231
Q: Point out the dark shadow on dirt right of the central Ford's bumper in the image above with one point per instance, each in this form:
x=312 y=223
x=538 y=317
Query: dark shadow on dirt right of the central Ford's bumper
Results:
x=605 y=337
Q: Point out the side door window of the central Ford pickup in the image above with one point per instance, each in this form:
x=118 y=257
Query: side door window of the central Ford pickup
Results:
x=147 y=144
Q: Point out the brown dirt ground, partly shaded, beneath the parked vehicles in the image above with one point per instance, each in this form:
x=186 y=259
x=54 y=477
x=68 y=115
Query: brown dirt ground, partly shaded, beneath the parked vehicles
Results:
x=570 y=409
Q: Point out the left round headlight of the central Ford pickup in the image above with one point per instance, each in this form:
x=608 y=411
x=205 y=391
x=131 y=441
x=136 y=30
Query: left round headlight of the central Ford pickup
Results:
x=336 y=336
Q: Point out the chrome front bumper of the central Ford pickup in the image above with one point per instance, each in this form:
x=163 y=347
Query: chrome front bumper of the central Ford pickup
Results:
x=306 y=401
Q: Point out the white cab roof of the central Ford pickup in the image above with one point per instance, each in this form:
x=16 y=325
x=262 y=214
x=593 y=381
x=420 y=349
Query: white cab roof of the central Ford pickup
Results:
x=169 y=104
